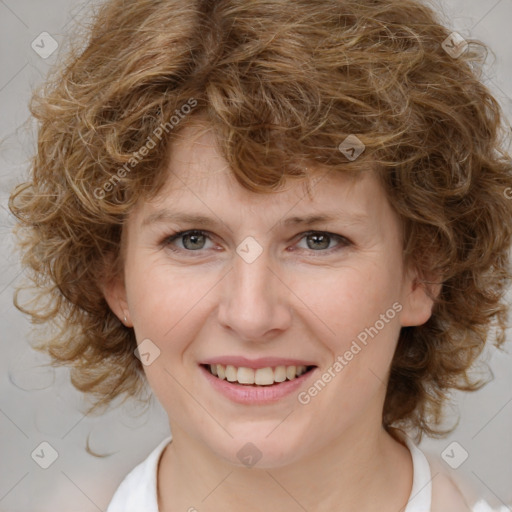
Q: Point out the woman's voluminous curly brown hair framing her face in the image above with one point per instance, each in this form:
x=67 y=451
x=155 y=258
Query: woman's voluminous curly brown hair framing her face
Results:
x=282 y=83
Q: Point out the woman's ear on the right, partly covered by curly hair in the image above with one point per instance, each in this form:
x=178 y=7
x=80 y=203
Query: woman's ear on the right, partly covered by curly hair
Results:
x=418 y=297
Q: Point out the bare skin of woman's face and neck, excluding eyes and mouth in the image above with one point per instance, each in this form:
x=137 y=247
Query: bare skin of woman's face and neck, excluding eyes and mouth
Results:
x=295 y=300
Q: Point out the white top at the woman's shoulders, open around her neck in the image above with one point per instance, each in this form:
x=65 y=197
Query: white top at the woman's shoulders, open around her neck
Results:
x=138 y=491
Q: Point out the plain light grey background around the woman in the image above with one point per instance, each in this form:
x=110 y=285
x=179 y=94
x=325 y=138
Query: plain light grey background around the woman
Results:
x=38 y=404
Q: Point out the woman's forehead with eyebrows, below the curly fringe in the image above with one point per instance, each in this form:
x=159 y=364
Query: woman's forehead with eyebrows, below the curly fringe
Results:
x=200 y=188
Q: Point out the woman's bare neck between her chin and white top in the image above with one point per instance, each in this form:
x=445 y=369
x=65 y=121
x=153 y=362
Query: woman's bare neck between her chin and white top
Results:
x=364 y=471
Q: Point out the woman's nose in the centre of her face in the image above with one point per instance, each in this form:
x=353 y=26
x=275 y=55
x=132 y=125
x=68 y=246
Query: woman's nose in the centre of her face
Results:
x=255 y=301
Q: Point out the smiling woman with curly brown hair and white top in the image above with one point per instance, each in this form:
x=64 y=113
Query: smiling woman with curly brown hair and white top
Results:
x=290 y=219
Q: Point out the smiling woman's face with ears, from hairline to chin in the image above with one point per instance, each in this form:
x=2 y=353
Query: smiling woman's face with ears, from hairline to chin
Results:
x=264 y=285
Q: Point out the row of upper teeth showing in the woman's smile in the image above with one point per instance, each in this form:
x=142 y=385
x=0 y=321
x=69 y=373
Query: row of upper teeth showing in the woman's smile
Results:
x=261 y=377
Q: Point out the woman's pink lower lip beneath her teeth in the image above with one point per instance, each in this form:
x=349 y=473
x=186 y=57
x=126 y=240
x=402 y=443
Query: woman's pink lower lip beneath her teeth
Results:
x=255 y=395
